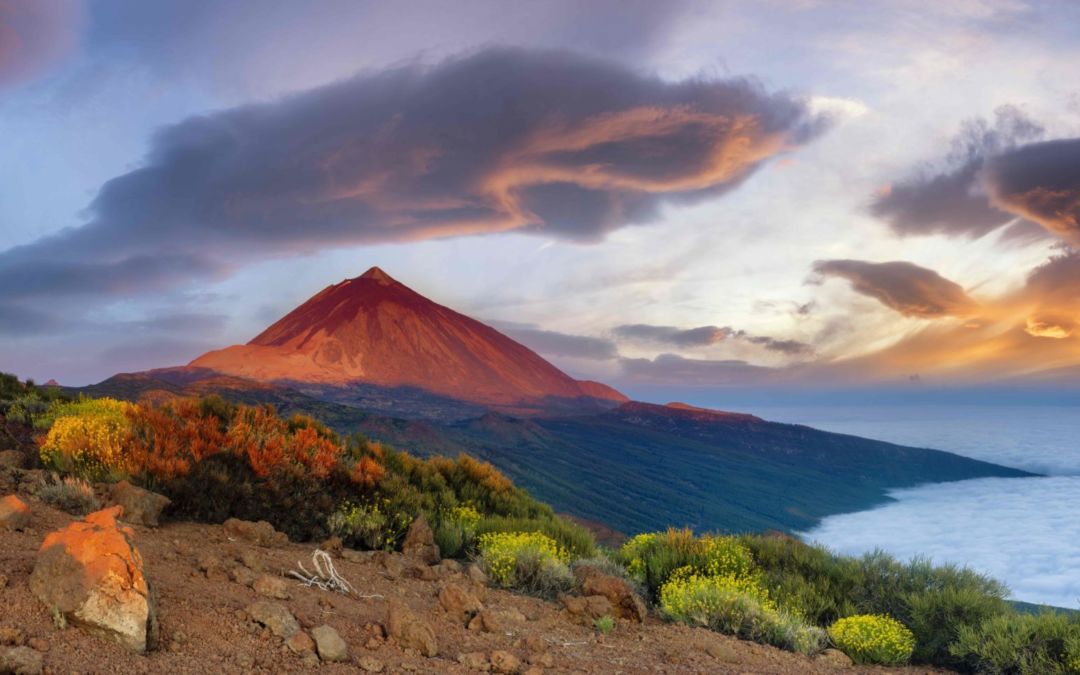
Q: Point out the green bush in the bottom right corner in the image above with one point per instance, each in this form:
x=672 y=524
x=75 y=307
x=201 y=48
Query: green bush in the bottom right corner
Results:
x=1046 y=644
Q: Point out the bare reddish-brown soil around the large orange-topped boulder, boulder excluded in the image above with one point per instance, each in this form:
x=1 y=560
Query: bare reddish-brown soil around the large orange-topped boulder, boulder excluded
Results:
x=205 y=628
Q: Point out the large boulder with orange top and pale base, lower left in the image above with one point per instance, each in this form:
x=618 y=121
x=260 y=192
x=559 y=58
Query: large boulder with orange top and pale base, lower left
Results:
x=93 y=575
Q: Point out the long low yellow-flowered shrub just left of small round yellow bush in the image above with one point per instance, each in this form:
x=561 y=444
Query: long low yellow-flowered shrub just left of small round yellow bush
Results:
x=736 y=607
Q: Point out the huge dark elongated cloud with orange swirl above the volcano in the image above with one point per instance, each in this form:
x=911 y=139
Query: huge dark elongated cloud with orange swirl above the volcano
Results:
x=504 y=140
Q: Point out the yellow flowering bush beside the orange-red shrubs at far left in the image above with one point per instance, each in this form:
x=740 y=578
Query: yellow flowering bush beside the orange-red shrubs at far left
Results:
x=88 y=438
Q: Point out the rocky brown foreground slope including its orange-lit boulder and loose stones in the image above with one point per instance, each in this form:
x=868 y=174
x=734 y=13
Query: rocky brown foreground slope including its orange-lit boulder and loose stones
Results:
x=221 y=599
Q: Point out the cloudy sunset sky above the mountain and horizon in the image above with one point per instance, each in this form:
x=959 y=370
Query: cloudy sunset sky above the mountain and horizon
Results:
x=686 y=200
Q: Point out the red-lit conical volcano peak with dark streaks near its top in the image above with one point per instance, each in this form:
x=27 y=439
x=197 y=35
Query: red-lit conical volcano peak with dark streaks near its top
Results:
x=373 y=330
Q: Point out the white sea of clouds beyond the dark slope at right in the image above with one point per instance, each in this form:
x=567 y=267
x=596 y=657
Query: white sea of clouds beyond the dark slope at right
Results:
x=1024 y=532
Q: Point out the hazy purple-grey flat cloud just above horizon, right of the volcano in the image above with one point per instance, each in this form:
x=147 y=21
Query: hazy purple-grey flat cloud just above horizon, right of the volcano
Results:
x=676 y=370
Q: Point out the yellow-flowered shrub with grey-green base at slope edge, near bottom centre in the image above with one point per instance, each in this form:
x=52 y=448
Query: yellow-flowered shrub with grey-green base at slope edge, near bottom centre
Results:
x=528 y=562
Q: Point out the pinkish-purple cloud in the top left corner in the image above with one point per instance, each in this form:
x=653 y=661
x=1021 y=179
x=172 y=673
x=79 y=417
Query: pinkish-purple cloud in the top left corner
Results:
x=34 y=36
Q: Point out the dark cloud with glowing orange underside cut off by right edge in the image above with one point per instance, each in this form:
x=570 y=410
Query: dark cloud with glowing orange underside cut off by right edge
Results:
x=1042 y=183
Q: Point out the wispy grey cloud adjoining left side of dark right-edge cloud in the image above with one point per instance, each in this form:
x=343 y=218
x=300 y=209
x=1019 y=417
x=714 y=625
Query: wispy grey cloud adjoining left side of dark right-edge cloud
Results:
x=949 y=197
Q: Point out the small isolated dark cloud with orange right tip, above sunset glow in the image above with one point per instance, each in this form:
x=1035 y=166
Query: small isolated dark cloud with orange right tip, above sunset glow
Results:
x=911 y=290
